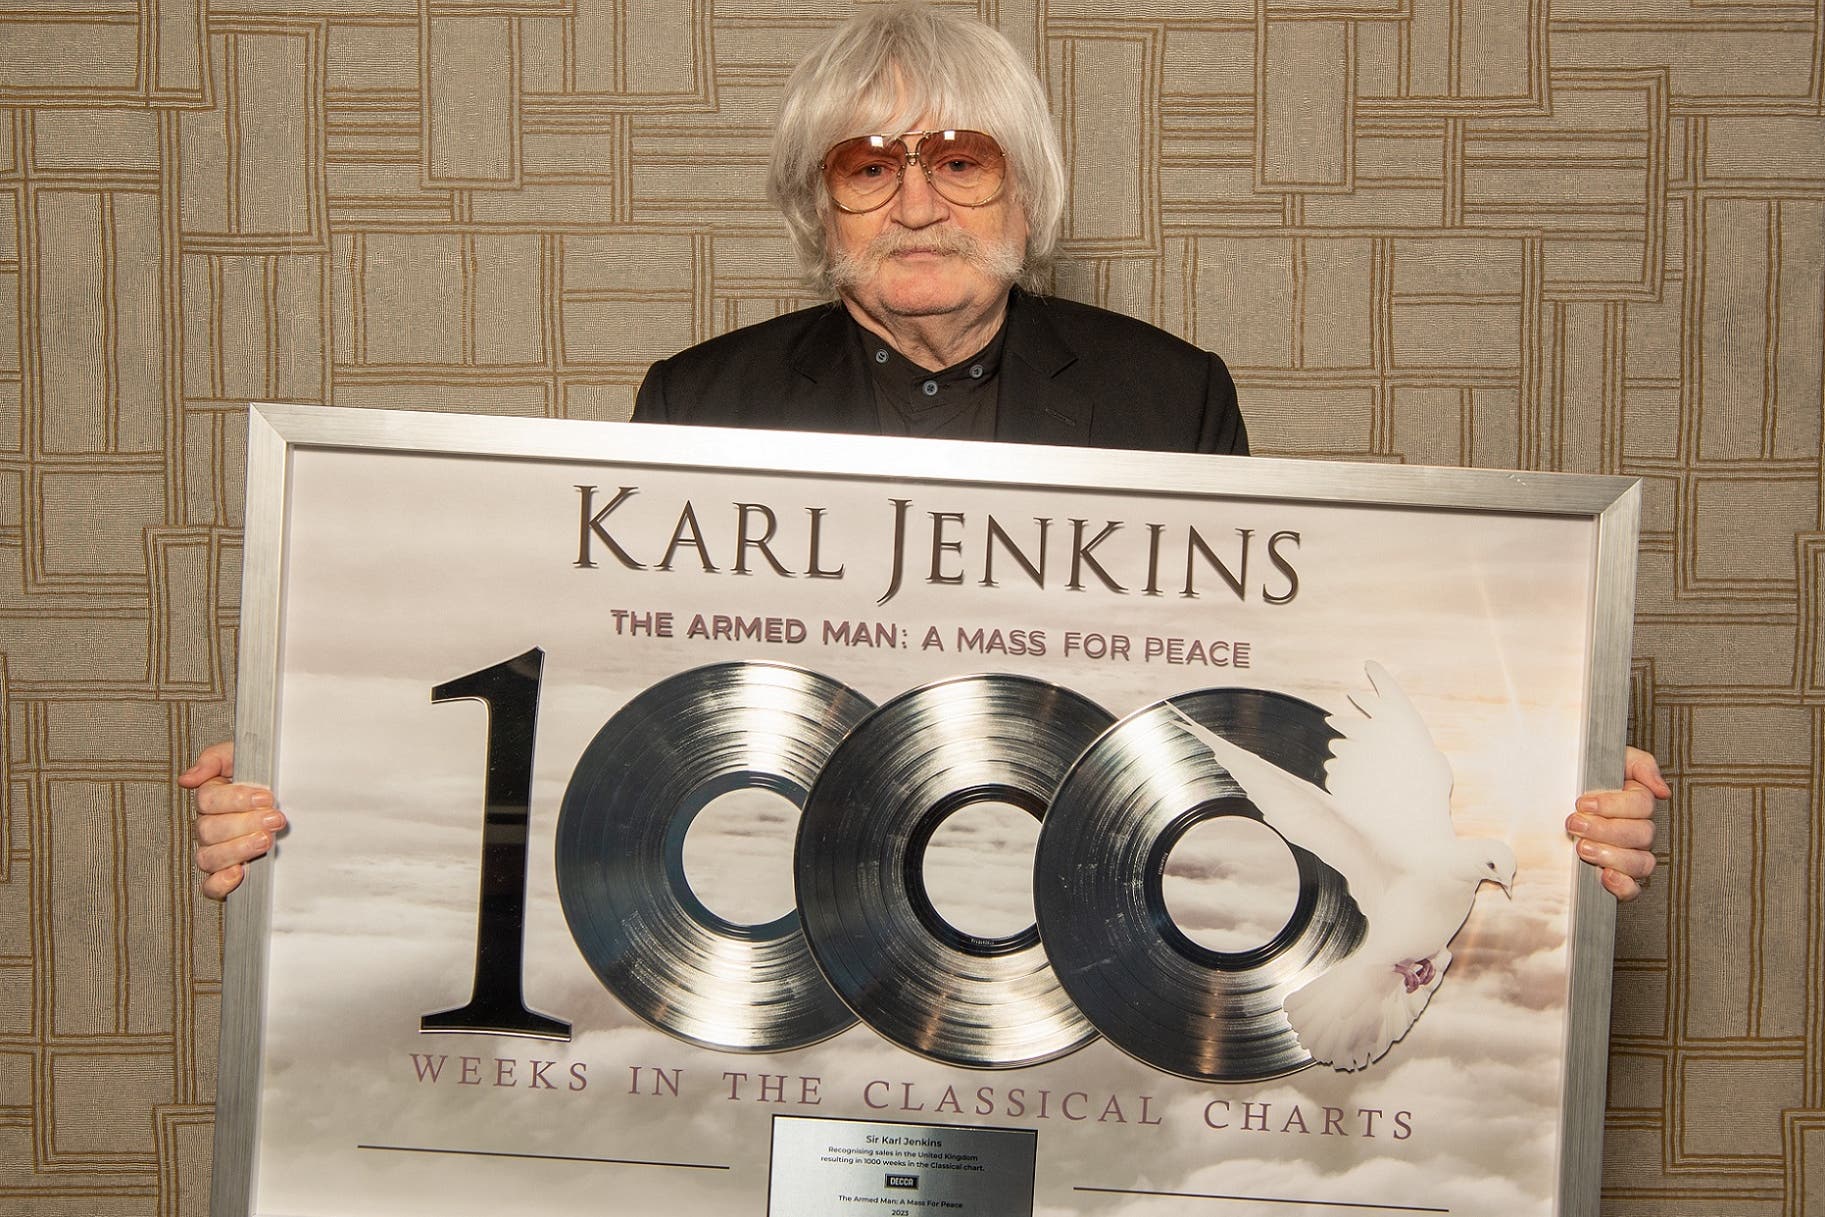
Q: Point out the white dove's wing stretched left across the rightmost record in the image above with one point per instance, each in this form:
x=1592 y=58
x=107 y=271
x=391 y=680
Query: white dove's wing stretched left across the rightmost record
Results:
x=1302 y=813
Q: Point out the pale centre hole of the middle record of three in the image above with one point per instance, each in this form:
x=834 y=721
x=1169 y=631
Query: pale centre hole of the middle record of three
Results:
x=979 y=869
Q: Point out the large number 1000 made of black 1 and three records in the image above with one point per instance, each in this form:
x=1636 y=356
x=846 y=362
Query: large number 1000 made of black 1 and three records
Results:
x=641 y=780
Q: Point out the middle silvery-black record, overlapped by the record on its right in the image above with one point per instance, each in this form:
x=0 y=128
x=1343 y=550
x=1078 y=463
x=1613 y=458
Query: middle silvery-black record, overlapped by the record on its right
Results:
x=912 y=975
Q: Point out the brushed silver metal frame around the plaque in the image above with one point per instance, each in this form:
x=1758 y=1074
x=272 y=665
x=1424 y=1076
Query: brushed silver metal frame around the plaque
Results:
x=276 y=432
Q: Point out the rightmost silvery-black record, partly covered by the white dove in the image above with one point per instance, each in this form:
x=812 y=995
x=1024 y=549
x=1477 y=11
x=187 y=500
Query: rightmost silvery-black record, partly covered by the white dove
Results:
x=1098 y=891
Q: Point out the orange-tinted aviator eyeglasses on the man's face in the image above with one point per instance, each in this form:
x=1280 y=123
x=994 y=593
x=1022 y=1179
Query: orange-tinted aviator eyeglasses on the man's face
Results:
x=864 y=174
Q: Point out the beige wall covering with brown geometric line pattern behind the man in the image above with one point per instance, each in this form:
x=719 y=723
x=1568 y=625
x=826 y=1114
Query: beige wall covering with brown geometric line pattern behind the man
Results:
x=1543 y=234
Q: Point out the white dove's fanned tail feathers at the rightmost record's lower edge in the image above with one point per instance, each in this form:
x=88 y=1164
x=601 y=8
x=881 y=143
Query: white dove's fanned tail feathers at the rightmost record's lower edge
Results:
x=1350 y=1017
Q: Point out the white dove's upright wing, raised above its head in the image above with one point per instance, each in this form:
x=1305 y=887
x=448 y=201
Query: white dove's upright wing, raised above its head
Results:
x=1390 y=775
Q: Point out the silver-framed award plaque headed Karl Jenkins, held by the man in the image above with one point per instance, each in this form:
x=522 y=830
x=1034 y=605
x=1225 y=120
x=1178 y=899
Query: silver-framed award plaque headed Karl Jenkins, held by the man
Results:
x=704 y=822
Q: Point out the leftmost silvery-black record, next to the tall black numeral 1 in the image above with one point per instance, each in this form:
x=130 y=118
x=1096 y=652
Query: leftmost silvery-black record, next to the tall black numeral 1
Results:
x=621 y=853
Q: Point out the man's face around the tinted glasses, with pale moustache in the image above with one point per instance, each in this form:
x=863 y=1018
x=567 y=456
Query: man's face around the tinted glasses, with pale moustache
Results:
x=923 y=256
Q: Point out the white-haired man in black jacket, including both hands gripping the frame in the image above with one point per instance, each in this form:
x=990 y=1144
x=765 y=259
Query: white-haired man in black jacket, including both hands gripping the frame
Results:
x=921 y=180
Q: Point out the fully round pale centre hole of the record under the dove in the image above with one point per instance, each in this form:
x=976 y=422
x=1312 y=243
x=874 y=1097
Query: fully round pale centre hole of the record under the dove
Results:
x=1231 y=884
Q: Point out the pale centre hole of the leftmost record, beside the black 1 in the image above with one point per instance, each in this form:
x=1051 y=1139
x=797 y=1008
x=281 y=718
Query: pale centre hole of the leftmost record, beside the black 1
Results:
x=738 y=857
